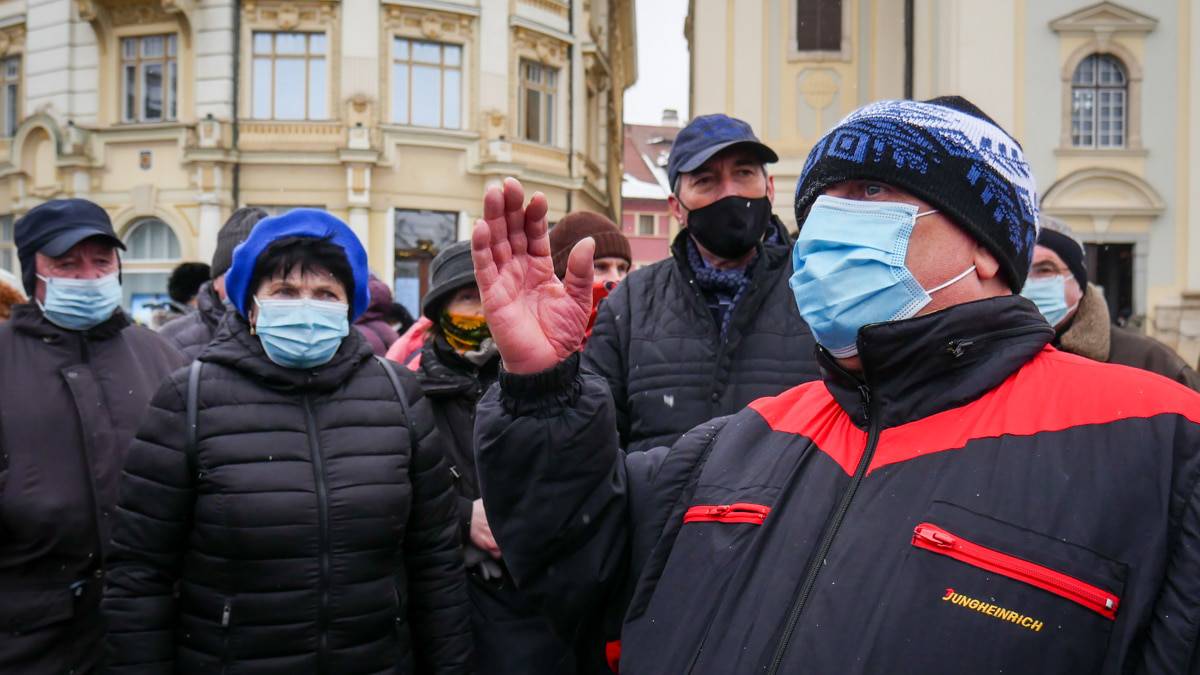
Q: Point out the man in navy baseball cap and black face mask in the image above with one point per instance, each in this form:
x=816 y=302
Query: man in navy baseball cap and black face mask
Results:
x=687 y=339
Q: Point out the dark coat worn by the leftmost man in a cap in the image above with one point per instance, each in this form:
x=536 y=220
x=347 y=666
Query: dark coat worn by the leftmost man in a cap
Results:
x=70 y=403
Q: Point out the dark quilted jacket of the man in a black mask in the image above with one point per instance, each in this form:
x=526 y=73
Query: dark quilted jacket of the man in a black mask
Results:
x=658 y=345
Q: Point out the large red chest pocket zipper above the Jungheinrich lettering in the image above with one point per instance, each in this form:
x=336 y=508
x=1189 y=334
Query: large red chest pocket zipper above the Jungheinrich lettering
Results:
x=937 y=540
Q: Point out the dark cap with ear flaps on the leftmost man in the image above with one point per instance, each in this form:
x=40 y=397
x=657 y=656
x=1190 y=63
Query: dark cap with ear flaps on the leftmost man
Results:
x=52 y=229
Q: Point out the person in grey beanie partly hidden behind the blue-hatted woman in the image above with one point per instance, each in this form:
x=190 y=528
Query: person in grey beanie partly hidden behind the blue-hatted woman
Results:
x=193 y=332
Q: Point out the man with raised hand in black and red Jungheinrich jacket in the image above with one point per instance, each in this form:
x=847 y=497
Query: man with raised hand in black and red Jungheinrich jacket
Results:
x=953 y=497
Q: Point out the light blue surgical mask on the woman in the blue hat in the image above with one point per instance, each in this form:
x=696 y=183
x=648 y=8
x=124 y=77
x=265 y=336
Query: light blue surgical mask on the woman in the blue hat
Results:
x=302 y=333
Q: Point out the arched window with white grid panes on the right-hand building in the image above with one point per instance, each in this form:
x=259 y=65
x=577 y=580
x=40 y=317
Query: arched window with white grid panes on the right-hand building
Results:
x=1100 y=92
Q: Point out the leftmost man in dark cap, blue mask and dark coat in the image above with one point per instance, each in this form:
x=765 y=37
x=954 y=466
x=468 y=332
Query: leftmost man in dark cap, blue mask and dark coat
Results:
x=77 y=377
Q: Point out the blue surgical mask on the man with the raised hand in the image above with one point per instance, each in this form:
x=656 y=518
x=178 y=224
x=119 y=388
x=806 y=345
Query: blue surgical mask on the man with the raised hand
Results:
x=850 y=270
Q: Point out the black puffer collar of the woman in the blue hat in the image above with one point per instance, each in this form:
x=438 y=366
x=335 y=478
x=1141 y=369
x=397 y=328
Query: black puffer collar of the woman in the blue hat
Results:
x=237 y=349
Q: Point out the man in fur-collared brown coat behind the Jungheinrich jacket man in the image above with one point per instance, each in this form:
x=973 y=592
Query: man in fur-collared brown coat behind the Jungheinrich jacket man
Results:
x=1079 y=313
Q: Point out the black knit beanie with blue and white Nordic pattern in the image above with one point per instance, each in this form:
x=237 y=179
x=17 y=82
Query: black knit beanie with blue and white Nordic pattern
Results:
x=946 y=152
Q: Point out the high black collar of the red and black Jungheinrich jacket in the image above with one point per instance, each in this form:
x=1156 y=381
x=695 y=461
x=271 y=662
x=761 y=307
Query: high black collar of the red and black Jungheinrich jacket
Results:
x=921 y=367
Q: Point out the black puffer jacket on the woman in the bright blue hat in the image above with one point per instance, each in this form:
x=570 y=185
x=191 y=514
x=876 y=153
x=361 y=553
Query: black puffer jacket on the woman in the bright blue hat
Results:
x=307 y=535
